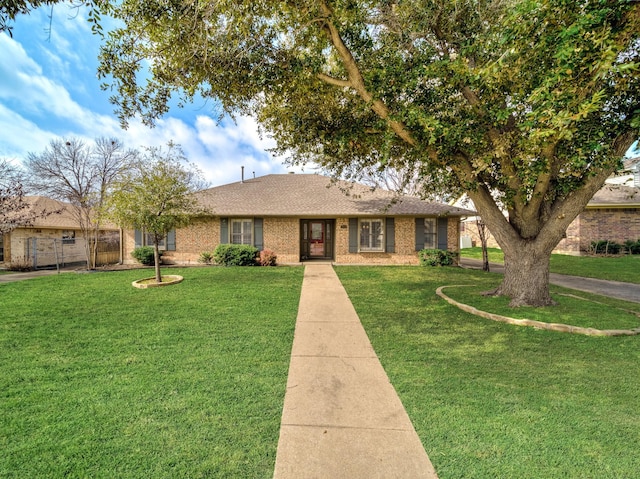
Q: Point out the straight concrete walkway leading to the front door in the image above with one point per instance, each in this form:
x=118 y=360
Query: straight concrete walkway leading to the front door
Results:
x=341 y=417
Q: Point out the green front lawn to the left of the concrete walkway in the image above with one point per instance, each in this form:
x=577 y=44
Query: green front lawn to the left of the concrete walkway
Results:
x=99 y=379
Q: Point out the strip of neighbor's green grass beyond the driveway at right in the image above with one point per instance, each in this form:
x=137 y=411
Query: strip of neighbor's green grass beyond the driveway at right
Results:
x=624 y=268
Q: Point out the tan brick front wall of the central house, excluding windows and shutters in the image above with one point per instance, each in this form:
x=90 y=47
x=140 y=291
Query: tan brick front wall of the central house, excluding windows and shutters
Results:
x=282 y=236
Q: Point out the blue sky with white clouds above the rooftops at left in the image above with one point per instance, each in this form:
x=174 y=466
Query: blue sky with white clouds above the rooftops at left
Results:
x=49 y=90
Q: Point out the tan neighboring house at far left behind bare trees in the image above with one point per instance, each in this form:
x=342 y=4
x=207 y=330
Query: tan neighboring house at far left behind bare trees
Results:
x=53 y=239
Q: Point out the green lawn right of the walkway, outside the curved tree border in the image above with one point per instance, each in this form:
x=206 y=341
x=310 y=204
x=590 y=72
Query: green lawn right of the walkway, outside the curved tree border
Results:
x=491 y=400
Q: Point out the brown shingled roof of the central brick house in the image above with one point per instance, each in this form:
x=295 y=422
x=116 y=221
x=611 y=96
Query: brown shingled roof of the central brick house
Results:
x=310 y=195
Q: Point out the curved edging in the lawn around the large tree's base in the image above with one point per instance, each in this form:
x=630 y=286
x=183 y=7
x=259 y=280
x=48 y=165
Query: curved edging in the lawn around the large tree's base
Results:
x=562 y=328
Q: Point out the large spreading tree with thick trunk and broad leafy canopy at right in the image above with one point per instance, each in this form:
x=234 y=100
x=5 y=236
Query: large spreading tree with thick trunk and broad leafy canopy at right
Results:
x=528 y=105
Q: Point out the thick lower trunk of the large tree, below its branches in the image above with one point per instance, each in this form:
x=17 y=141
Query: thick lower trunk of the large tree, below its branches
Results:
x=526 y=278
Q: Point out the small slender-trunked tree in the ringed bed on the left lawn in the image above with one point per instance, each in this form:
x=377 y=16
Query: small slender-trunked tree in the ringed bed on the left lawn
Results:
x=157 y=196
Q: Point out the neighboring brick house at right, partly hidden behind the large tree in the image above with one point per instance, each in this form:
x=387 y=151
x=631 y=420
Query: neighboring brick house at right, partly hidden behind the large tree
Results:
x=612 y=214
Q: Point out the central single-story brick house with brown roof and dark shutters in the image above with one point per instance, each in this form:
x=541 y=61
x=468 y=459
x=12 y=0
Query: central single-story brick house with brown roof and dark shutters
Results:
x=304 y=217
